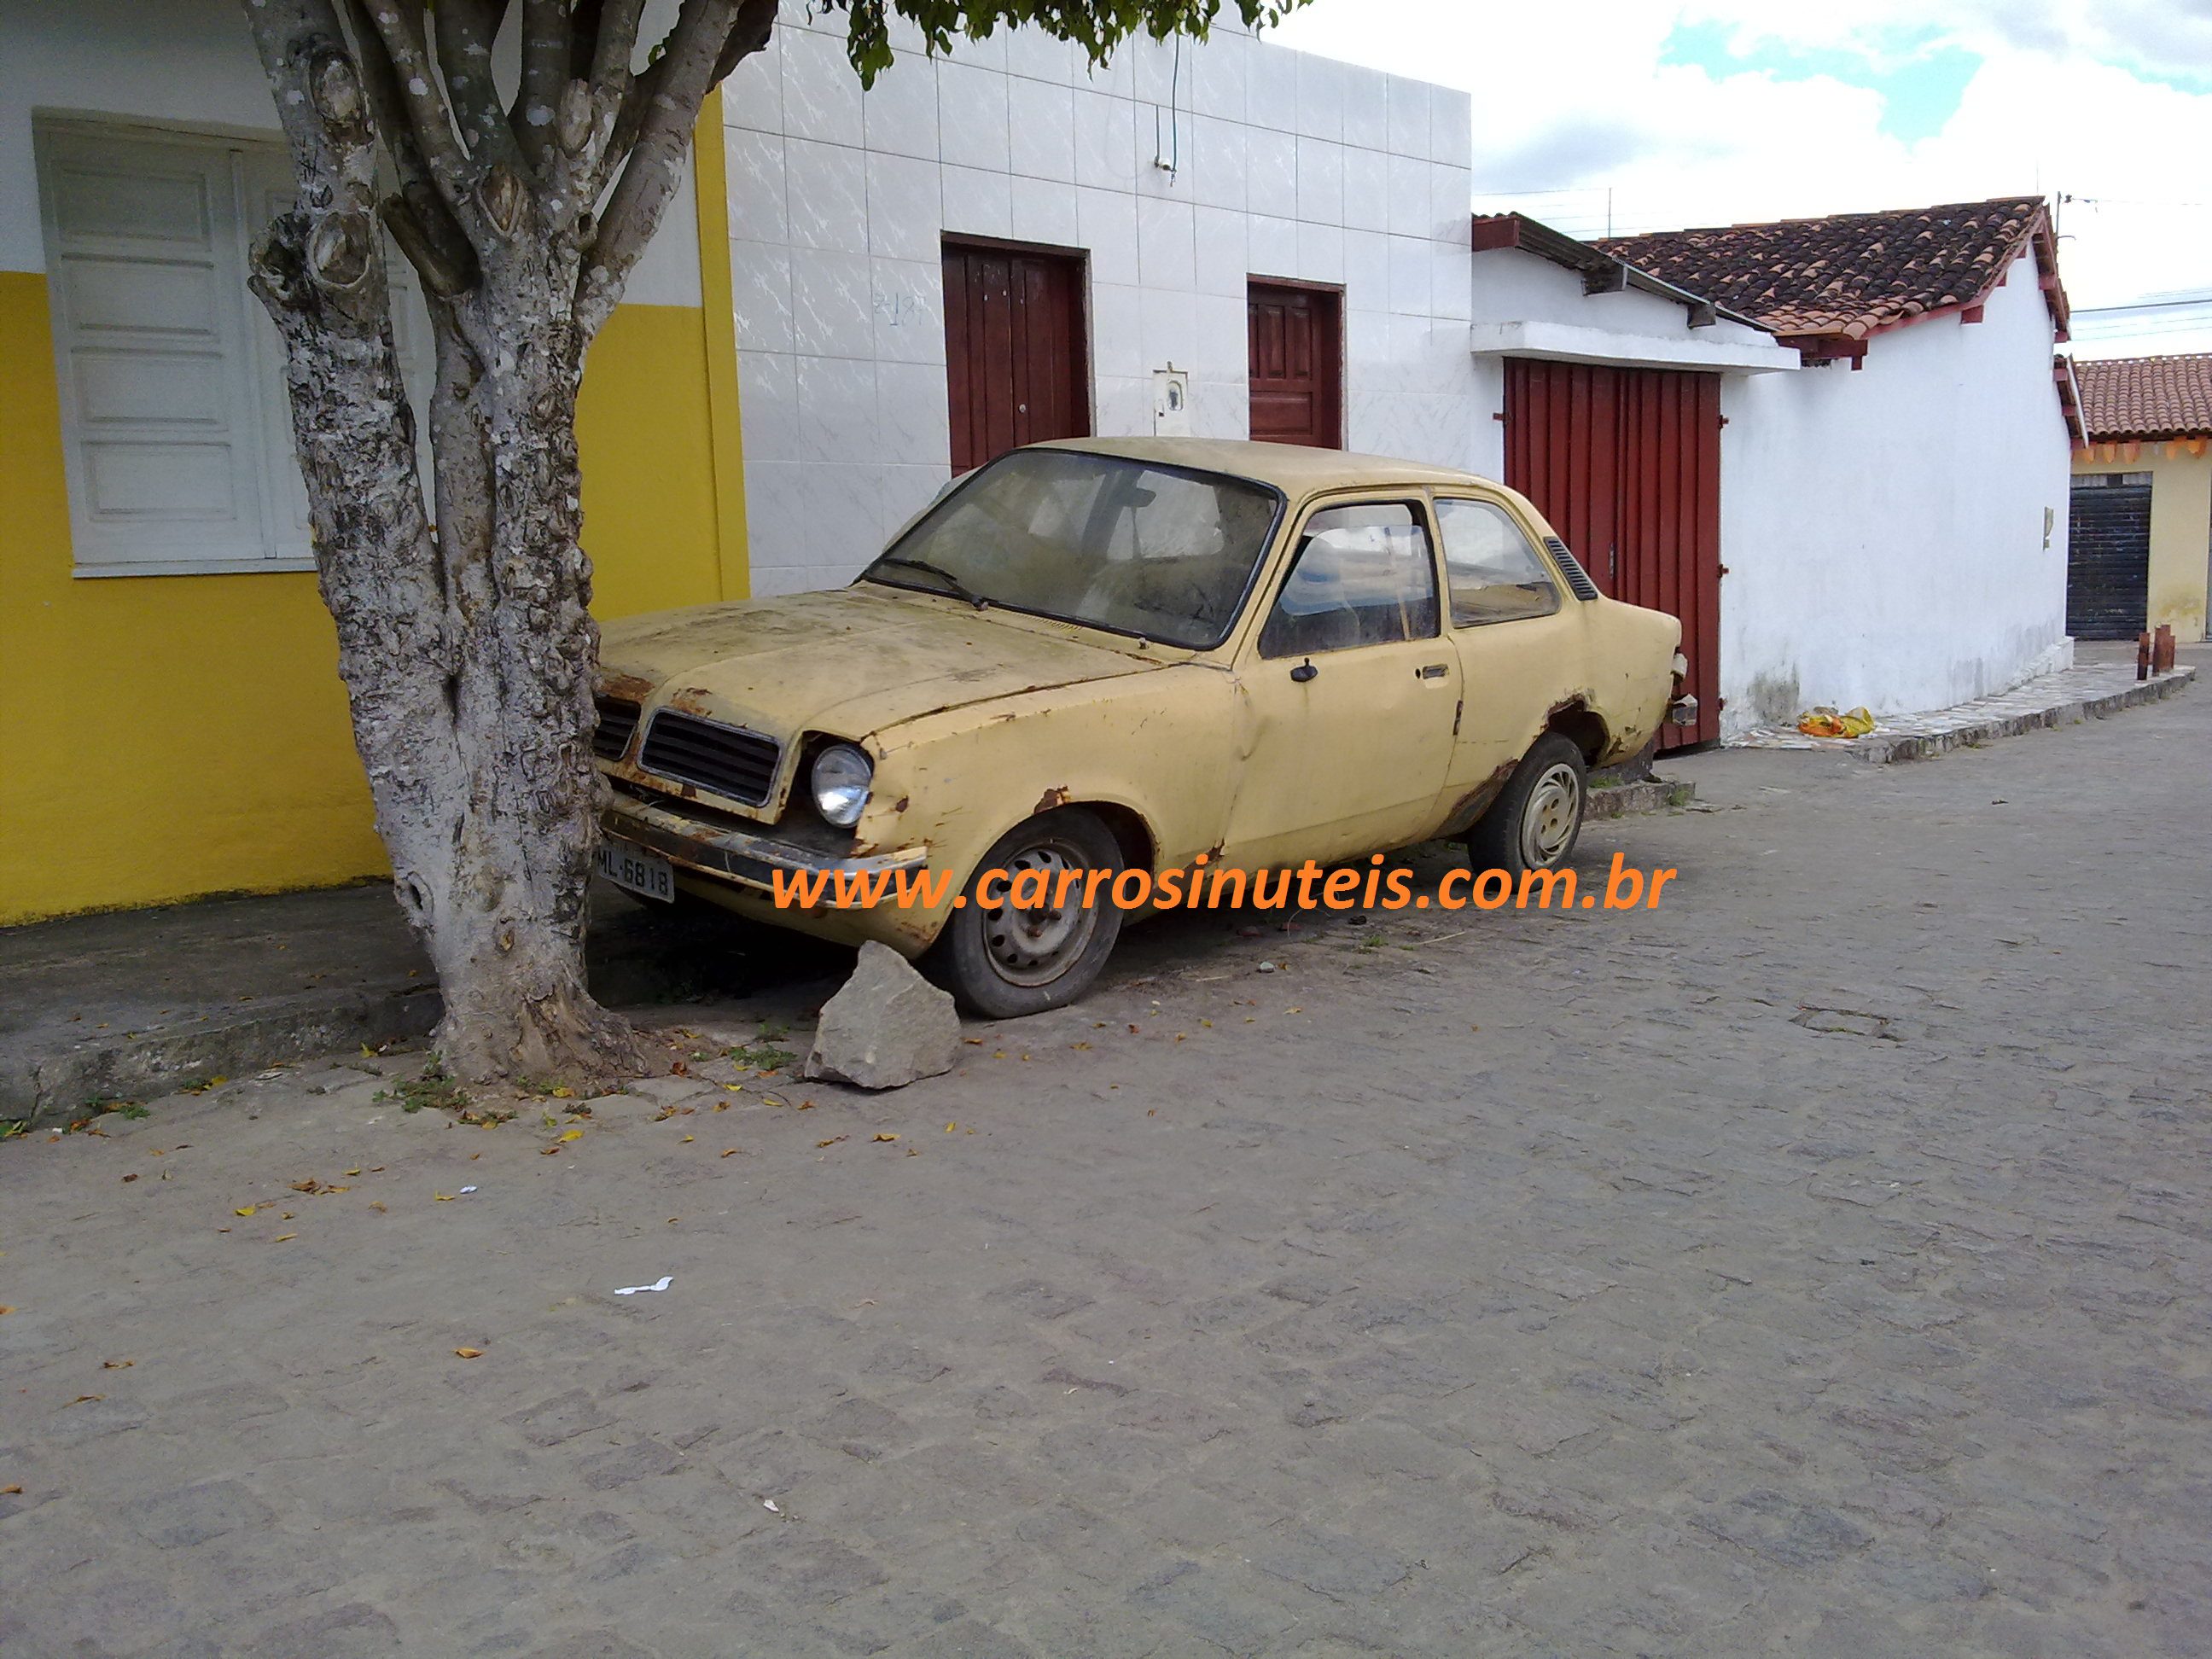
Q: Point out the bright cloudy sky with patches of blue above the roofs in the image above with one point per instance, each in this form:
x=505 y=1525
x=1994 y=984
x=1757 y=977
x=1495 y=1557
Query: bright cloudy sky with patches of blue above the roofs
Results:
x=1715 y=112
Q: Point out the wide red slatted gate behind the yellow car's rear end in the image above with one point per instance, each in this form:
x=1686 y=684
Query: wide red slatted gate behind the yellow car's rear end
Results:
x=1627 y=466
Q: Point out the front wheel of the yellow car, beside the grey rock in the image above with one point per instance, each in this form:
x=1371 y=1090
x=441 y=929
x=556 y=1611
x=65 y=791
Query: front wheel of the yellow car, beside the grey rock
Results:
x=1003 y=963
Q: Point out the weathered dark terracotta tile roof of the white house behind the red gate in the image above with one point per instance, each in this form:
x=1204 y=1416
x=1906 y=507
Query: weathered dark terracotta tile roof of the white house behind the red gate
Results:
x=1853 y=273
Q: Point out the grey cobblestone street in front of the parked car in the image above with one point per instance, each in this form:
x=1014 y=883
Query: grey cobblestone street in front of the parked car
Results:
x=1815 y=1264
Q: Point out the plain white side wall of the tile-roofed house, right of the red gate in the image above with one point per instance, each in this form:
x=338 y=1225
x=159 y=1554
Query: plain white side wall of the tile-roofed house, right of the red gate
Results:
x=1886 y=530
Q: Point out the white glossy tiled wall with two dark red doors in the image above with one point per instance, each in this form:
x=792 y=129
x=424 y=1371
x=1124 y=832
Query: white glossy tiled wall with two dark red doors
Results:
x=1284 y=167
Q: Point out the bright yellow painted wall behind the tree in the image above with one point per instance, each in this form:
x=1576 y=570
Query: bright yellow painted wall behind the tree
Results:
x=174 y=738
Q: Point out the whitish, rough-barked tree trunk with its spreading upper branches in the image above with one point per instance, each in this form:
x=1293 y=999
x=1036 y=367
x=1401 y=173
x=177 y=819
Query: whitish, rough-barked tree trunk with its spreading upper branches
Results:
x=468 y=645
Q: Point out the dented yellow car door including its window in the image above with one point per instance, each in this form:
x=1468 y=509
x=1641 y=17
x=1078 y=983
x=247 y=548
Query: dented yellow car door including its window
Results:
x=1346 y=691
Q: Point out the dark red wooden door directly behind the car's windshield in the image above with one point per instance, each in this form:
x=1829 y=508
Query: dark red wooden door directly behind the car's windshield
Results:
x=1014 y=351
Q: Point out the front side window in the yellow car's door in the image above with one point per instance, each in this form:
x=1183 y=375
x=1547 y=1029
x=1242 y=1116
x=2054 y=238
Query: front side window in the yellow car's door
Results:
x=1364 y=576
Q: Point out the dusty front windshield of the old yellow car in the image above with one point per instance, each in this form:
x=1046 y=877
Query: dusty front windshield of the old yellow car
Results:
x=1103 y=541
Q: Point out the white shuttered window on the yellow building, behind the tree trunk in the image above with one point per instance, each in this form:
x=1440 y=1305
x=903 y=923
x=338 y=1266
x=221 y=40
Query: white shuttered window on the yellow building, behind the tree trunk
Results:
x=176 y=421
